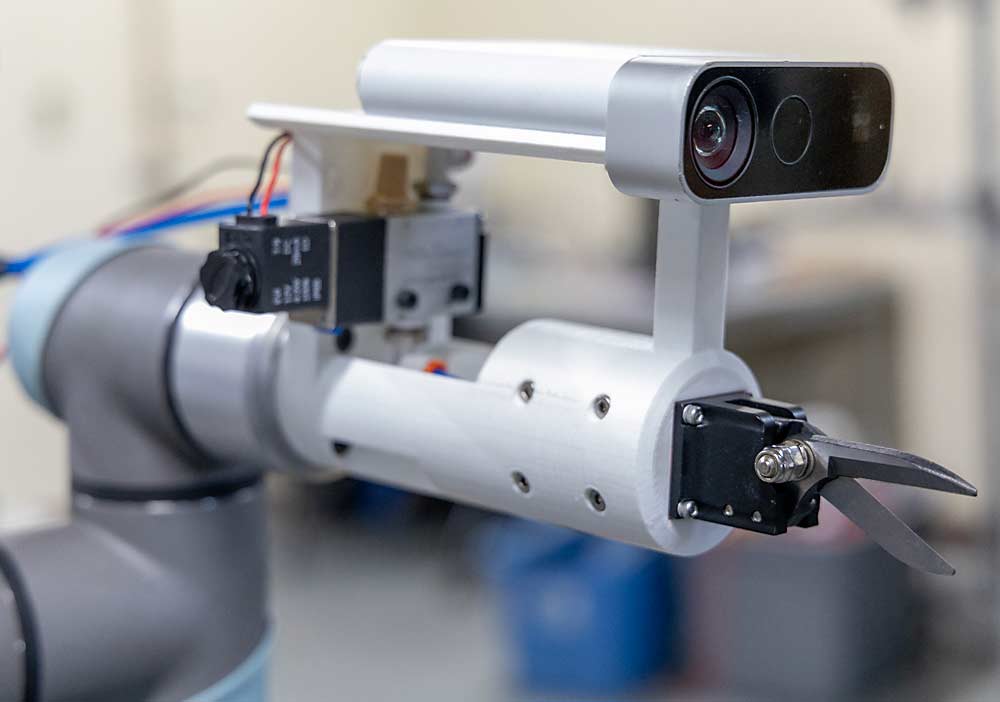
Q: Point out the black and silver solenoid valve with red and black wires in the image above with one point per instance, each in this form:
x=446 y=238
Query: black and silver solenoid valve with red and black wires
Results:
x=353 y=268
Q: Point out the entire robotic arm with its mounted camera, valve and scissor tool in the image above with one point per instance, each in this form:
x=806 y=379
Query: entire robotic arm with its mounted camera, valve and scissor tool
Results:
x=661 y=441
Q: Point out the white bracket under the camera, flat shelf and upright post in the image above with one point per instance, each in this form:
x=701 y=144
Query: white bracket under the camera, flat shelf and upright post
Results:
x=692 y=257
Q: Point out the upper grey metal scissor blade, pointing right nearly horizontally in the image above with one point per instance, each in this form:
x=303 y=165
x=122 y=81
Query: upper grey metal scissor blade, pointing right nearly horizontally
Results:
x=851 y=459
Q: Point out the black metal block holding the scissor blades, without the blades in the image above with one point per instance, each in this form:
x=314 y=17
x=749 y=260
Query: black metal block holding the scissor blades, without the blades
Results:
x=713 y=464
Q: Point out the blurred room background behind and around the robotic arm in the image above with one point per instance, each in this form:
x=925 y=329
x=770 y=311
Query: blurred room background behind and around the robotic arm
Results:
x=876 y=313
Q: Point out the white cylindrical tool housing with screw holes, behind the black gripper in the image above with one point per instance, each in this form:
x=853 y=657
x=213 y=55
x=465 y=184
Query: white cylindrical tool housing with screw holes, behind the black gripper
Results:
x=464 y=439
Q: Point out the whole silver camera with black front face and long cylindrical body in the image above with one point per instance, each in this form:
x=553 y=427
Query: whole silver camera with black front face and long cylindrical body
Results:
x=675 y=124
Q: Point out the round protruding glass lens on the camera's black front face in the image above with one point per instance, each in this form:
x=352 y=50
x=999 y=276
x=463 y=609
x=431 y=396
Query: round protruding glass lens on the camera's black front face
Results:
x=722 y=131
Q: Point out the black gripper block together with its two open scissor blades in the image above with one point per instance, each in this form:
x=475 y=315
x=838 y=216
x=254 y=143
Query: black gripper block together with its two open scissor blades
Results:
x=759 y=465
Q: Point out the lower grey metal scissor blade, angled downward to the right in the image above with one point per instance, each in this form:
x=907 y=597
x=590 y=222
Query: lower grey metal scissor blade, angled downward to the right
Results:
x=884 y=527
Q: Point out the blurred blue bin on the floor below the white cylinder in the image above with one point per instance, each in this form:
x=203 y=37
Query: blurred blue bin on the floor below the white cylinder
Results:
x=583 y=615
